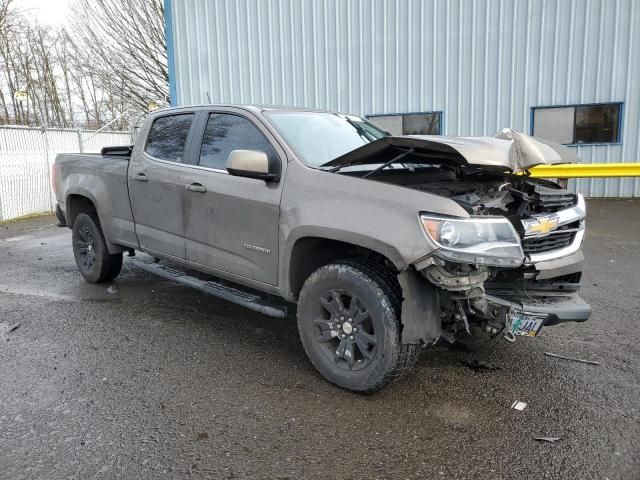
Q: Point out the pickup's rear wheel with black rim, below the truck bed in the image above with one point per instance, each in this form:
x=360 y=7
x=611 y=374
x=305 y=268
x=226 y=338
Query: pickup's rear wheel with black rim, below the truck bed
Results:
x=94 y=261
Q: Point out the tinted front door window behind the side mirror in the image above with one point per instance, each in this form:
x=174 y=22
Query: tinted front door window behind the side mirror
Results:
x=227 y=132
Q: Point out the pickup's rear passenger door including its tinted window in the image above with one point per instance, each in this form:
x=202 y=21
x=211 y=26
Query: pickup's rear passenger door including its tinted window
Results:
x=156 y=185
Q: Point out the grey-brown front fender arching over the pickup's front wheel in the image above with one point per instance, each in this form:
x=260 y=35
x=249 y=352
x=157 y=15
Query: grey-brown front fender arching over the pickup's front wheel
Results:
x=380 y=217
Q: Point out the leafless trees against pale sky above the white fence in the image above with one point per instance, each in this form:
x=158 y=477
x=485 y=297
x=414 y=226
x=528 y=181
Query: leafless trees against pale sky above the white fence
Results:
x=104 y=70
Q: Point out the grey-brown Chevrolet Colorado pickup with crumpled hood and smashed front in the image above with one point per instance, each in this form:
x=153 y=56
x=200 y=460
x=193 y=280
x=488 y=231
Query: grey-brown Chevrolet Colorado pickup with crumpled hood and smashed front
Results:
x=382 y=244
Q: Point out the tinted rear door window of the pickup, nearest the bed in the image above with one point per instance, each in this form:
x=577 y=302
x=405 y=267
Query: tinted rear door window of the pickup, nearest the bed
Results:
x=168 y=137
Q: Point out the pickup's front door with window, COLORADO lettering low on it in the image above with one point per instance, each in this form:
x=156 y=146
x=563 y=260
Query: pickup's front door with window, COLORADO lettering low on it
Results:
x=231 y=223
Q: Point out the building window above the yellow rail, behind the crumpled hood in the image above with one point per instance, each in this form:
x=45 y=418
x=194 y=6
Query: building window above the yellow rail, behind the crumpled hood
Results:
x=578 y=124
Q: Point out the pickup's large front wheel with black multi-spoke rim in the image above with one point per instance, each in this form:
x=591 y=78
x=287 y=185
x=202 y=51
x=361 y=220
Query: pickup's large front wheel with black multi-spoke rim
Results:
x=366 y=353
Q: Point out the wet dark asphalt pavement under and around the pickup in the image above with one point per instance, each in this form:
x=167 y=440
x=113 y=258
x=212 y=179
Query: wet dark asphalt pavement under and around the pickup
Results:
x=157 y=380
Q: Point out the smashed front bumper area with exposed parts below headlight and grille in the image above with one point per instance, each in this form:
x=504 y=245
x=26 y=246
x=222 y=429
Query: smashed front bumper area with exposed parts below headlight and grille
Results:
x=452 y=298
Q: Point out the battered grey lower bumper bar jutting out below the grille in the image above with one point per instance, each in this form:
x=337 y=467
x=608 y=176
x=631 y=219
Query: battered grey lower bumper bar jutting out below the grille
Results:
x=555 y=307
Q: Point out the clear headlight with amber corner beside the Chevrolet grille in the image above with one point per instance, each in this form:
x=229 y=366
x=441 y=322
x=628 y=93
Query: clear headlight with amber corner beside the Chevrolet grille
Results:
x=476 y=240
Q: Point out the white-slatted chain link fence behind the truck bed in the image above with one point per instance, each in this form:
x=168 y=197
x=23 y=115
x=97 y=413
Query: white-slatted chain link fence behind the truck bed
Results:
x=26 y=157
